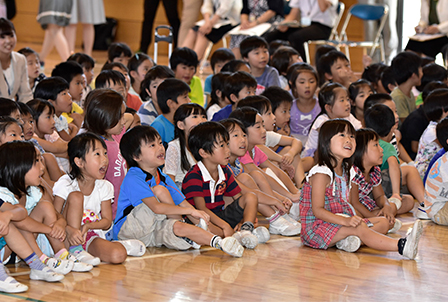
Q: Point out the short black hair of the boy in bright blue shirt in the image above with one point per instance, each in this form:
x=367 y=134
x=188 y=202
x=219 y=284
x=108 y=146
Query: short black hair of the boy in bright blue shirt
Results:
x=132 y=141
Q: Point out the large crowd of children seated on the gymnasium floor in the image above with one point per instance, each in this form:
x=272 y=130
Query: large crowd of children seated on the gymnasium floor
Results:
x=150 y=158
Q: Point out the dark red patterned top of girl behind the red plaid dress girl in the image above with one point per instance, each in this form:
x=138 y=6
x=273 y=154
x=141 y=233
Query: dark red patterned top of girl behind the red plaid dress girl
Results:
x=365 y=188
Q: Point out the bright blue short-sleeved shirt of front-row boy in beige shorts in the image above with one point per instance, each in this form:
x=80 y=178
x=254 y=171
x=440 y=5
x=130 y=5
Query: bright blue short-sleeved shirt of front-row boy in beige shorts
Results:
x=137 y=186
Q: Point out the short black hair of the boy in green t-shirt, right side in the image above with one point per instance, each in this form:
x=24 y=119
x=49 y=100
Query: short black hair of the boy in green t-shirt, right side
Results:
x=380 y=118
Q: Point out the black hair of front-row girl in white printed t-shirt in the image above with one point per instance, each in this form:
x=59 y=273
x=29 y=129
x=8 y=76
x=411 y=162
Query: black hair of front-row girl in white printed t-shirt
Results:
x=78 y=147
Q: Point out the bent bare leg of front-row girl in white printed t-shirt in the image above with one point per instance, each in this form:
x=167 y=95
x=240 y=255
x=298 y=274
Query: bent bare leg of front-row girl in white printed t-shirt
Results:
x=111 y=252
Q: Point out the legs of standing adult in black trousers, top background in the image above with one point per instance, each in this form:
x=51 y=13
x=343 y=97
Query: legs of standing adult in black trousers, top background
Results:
x=149 y=15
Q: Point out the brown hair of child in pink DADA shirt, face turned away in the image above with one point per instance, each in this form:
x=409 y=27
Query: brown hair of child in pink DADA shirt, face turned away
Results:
x=103 y=110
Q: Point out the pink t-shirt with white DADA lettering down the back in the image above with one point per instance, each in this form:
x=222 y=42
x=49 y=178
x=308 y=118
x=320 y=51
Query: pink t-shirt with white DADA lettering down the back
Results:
x=117 y=167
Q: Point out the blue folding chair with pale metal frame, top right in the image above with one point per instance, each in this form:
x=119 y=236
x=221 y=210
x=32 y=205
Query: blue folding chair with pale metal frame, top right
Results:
x=378 y=12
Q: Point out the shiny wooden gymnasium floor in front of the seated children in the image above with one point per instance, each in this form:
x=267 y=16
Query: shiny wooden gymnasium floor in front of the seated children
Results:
x=281 y=270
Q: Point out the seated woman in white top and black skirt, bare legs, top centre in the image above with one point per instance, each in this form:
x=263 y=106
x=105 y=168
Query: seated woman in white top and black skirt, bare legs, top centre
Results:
x=220 y=16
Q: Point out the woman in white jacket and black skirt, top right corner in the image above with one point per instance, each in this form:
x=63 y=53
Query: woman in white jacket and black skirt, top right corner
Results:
x=433 y=20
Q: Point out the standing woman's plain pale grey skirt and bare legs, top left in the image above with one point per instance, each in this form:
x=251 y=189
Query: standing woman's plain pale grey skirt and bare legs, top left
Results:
x=87 y=12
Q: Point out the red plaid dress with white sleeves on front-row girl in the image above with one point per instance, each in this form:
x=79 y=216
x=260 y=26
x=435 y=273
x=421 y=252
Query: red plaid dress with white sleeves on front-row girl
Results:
x=317 y=233
